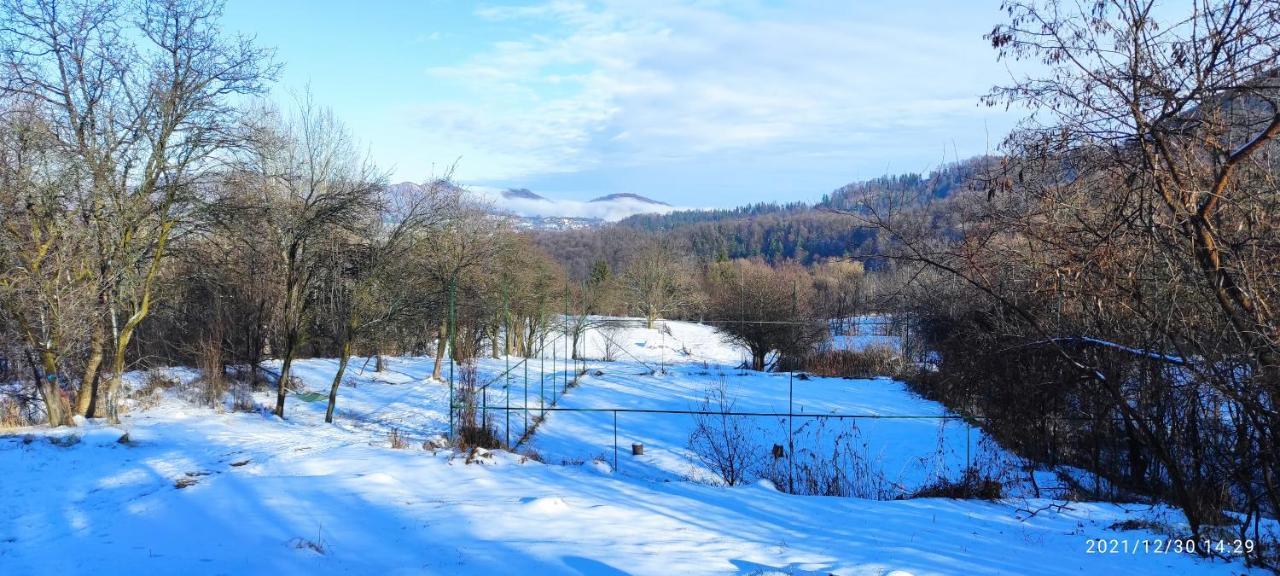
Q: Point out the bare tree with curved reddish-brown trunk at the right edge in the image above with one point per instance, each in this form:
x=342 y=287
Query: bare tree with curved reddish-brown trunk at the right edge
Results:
x=1176 y=121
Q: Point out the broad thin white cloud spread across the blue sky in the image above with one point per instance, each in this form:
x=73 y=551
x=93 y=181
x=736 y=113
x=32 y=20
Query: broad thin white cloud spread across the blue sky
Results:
x=637 y=84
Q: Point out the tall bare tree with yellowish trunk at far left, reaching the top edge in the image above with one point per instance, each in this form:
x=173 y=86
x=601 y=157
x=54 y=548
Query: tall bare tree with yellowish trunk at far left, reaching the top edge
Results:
x=141 y=97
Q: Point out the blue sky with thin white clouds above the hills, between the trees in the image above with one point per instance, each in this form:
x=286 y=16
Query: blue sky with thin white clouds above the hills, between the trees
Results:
x=696 y=103
